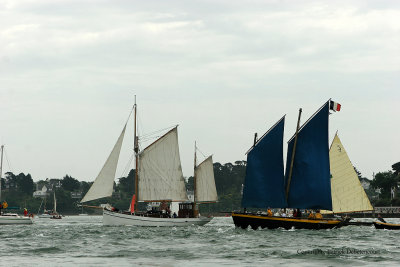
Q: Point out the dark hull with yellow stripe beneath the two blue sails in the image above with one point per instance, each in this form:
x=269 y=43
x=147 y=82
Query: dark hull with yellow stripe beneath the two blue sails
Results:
x=255 y=221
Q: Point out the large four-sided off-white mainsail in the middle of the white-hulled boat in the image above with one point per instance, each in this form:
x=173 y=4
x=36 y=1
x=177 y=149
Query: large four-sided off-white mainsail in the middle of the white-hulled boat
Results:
x=160 y=170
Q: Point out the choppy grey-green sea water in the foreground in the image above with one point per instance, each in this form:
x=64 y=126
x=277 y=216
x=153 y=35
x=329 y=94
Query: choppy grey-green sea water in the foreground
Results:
x=83 y=240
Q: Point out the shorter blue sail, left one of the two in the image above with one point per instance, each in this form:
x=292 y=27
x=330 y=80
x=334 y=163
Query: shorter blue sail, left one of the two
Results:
x=264 y=182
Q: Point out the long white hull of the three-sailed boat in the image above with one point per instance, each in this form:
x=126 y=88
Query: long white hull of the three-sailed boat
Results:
x=114 y=218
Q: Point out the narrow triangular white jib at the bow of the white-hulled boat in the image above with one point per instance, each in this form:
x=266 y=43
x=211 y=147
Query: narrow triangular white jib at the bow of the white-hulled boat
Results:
x=103 y=185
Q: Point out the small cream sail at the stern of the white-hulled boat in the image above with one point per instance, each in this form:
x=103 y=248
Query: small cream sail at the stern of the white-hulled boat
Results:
x=205 y=182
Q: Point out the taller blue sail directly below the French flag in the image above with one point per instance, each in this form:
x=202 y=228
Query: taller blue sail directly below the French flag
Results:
x=310 y=186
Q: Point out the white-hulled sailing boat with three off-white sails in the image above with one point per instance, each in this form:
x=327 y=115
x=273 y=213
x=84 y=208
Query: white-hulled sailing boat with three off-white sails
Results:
x=158 y=178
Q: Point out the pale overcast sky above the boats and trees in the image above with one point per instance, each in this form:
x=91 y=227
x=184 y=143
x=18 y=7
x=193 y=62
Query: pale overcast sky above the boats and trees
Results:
x=221 y=70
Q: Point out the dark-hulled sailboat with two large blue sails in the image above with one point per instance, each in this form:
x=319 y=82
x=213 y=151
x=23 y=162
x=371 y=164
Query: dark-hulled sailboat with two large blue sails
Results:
x=305 y=184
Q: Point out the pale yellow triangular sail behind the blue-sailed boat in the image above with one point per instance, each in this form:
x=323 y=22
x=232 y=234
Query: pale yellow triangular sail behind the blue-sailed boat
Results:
x=347 y=193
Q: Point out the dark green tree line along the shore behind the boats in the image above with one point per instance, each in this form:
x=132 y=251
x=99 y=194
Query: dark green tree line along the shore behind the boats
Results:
x=18 y=190
